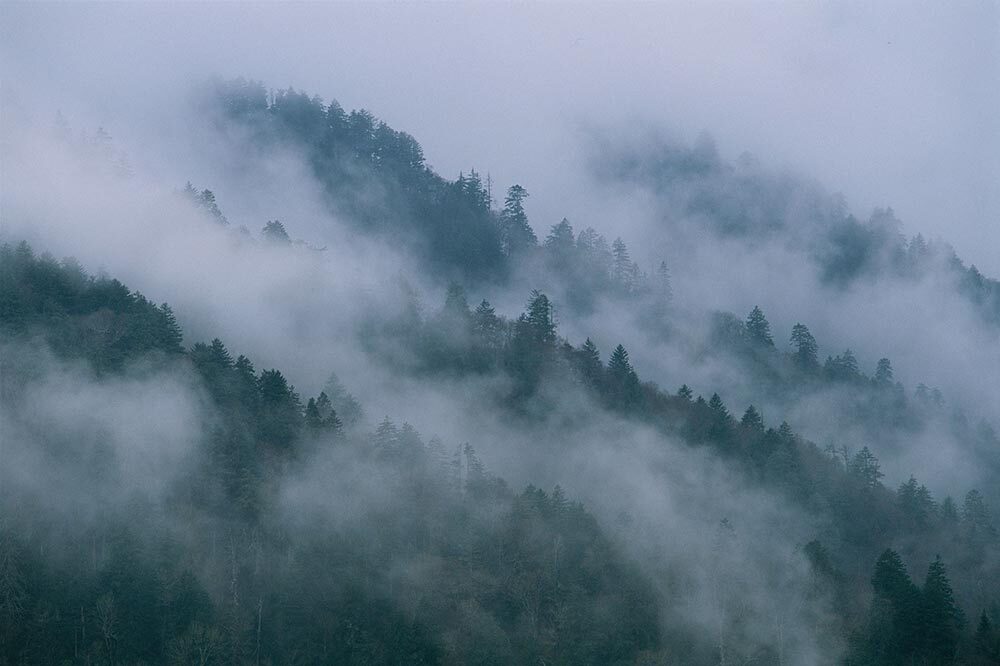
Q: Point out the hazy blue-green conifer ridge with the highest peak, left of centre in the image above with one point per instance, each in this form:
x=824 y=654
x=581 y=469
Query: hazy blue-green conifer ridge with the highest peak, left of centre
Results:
x=452 y=224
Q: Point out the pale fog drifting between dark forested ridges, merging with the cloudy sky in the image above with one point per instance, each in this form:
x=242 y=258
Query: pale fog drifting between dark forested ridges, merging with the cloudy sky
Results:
x=895 y=105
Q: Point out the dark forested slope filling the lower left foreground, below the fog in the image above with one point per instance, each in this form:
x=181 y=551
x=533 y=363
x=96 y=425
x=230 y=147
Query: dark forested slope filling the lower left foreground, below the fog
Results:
x=444 y=563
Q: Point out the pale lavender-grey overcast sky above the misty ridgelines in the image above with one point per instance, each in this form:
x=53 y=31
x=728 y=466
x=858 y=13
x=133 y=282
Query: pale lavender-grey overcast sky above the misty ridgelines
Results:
x=894 y=105
